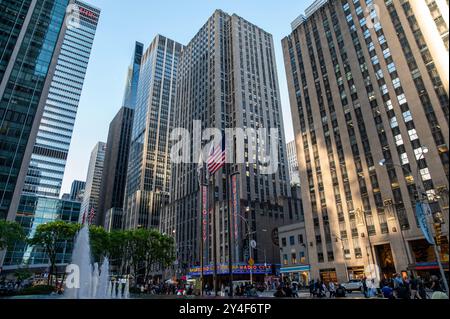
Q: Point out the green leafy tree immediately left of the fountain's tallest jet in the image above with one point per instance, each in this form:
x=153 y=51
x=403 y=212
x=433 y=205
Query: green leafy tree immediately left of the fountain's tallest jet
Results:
x=52 y=237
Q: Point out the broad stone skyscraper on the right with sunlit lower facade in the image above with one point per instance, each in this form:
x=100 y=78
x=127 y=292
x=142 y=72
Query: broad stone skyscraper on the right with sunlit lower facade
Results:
x=367 y=86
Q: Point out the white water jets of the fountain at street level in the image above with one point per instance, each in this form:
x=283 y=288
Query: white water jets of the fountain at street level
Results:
x=94 y=282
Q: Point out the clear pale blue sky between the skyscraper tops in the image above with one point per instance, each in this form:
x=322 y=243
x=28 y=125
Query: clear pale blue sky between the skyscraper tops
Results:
x=124 y=22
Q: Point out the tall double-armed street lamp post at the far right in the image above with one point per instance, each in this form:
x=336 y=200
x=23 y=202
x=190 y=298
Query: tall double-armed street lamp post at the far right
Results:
x=421 y=199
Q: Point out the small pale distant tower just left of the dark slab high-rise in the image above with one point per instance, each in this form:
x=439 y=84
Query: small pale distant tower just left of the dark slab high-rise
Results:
x=93 y=181
